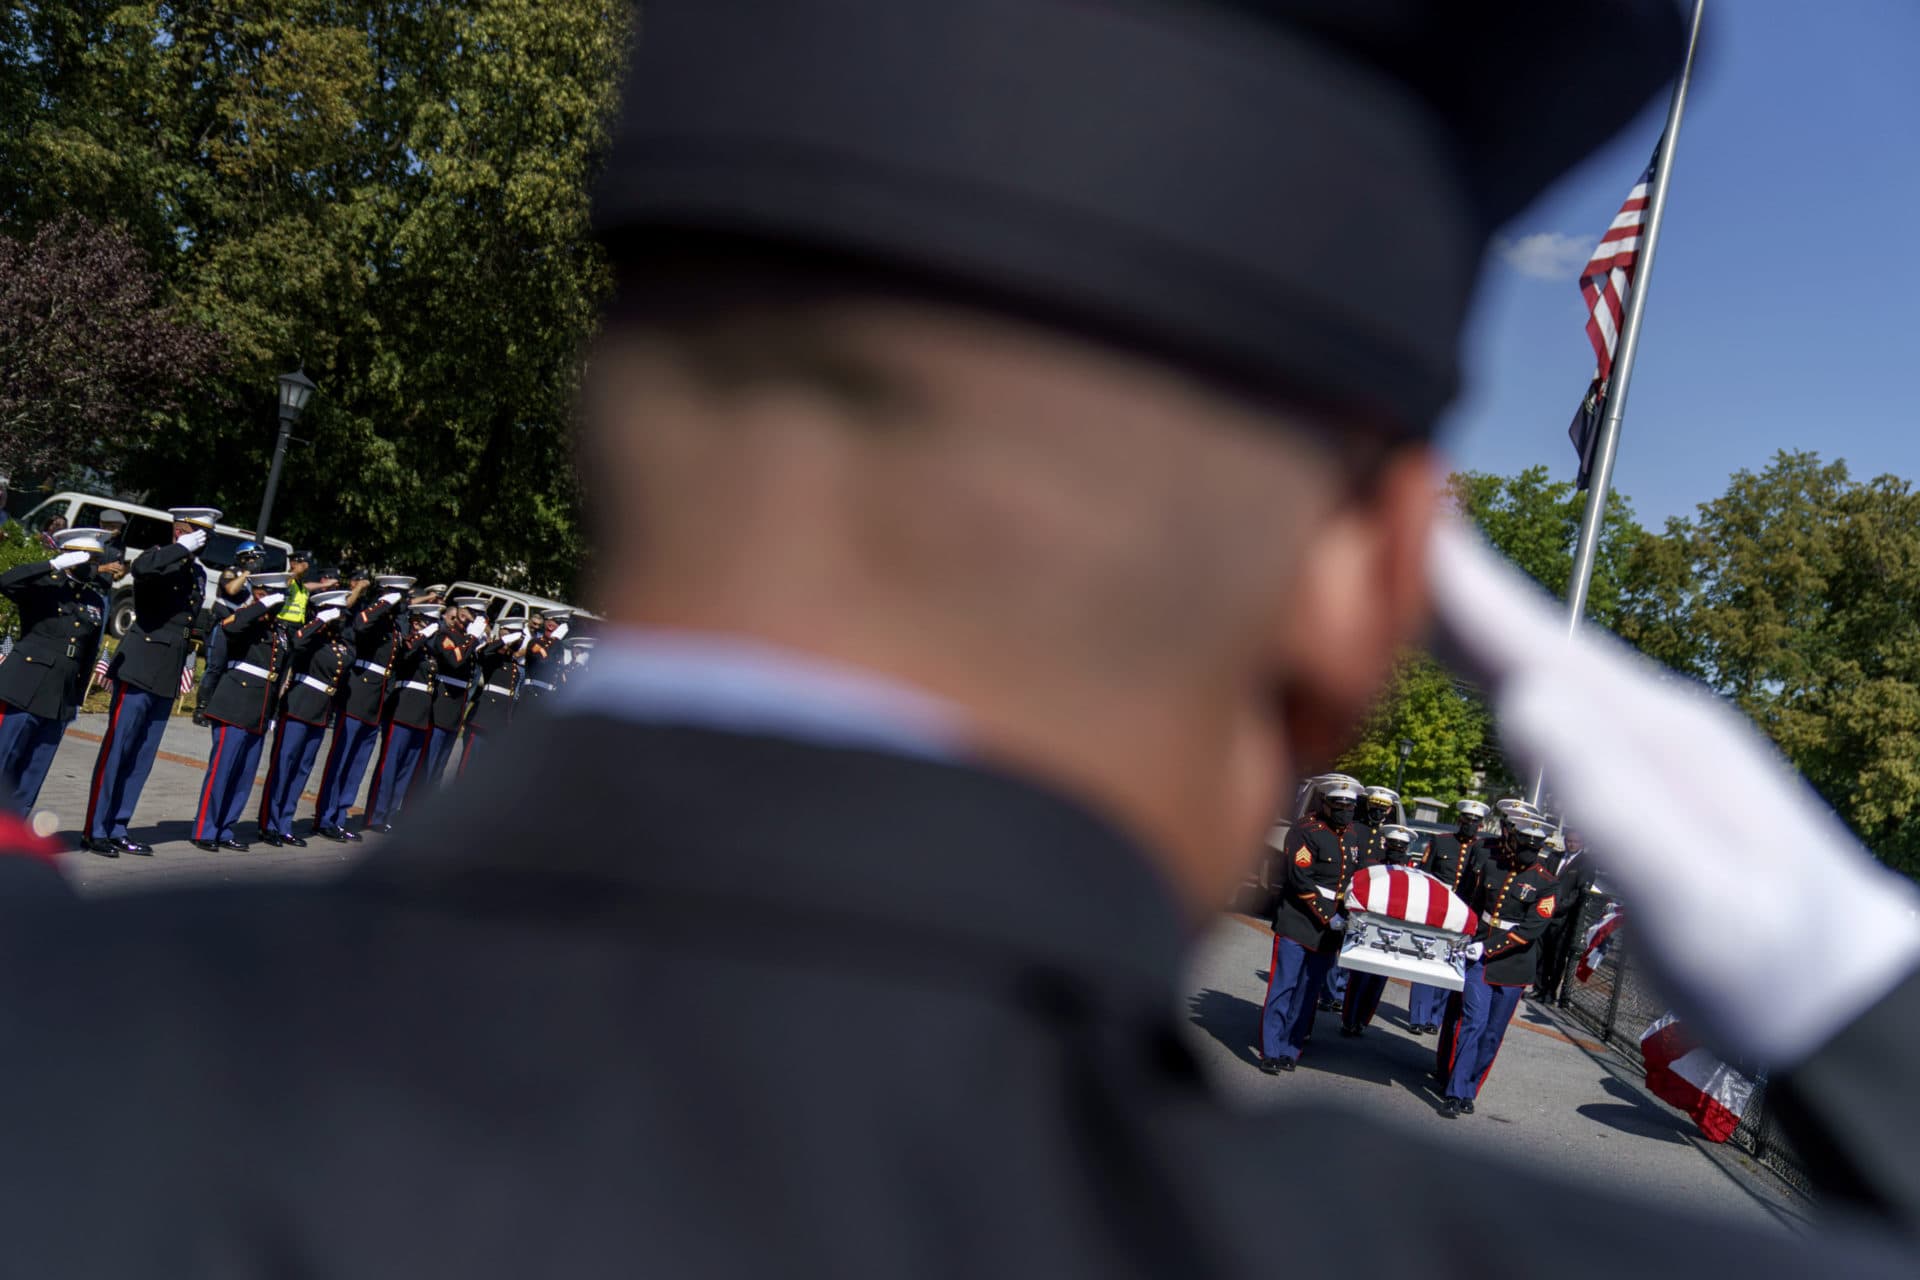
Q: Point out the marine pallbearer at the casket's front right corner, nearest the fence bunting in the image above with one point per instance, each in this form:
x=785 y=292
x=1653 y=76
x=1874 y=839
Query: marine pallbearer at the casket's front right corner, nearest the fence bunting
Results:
x=1514 y=893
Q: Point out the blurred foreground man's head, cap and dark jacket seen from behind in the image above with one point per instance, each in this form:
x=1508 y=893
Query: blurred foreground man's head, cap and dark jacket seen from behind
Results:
x=984 y=552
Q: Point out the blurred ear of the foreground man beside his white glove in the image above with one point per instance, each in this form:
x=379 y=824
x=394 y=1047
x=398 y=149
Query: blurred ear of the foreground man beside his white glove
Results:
x=1358 y=602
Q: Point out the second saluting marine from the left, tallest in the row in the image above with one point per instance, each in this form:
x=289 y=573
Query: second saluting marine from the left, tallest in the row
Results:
x=168 y=590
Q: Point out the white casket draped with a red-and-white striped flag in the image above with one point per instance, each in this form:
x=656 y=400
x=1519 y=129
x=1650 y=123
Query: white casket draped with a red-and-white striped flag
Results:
x=1406 y=926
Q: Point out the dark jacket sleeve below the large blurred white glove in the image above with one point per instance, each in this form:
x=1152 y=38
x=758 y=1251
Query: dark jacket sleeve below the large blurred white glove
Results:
x=1852 y=1112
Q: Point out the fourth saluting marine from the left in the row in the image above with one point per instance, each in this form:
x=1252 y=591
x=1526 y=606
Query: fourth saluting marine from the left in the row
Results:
x=320 y=661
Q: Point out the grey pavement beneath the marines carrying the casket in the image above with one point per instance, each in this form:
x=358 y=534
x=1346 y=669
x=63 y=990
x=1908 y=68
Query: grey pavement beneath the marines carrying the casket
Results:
x=1556 y=1099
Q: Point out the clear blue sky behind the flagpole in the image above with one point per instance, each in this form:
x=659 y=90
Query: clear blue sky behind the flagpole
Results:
x=1785 y=308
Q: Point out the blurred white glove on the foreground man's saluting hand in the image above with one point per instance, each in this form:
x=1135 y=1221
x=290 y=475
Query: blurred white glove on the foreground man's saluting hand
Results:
x=1719 y=888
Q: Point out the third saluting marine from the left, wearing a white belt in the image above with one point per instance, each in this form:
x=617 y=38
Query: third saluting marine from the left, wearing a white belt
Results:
x=241 y=713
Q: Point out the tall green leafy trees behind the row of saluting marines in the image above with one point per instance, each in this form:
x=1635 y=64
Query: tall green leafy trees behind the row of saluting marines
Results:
x=391 y=193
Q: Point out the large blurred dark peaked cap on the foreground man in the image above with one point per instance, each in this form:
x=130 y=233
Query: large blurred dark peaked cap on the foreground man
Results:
x=1287 y=193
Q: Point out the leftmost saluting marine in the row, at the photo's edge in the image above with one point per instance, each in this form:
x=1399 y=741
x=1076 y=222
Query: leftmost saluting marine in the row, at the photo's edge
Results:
x=62 y=619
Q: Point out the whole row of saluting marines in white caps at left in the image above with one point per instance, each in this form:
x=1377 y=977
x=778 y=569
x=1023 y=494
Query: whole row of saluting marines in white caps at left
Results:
x=404 y=676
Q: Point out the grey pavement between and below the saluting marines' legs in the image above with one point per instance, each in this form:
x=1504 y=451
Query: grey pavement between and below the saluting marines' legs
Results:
x=166 y=818
